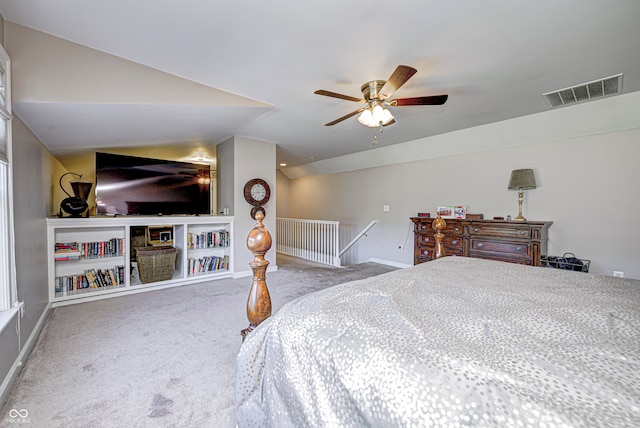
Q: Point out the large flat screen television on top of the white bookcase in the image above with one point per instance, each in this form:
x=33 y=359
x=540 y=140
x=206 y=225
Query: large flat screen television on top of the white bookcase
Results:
x=131 y=185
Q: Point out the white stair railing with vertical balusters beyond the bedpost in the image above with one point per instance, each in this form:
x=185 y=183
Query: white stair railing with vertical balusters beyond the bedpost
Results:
x=315 y=240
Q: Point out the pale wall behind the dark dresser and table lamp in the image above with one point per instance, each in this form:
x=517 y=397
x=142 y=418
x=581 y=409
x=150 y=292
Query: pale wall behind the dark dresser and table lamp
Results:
x=587 y=185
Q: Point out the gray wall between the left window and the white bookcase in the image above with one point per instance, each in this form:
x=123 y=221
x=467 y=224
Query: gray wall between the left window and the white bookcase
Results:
x=31 y=164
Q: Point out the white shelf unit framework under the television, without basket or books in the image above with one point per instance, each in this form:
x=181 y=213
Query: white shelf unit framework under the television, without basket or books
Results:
x=118 y=229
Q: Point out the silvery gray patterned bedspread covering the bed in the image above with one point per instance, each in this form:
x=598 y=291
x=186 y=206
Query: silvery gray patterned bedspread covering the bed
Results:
x=453 y=342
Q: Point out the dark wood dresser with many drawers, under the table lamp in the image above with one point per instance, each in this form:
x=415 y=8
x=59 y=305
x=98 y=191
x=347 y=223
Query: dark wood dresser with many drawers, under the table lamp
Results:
x=509 y=241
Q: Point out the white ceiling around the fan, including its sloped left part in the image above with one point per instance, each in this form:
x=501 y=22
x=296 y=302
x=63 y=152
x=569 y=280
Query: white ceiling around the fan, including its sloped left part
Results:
x=495 y=59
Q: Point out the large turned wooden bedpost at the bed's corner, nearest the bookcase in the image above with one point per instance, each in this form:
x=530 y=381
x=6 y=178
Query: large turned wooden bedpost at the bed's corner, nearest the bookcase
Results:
x=259 y=302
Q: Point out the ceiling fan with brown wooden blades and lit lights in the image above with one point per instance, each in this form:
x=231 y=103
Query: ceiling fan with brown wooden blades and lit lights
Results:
x=376 y=94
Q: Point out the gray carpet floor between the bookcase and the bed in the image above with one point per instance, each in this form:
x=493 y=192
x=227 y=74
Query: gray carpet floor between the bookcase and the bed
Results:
x=164 y=358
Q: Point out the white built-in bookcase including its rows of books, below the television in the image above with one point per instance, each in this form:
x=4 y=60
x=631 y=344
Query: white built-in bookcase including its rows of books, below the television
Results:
x=93 y=258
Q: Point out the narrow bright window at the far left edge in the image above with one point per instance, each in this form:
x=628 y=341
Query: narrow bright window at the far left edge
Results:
x=8 y=290
